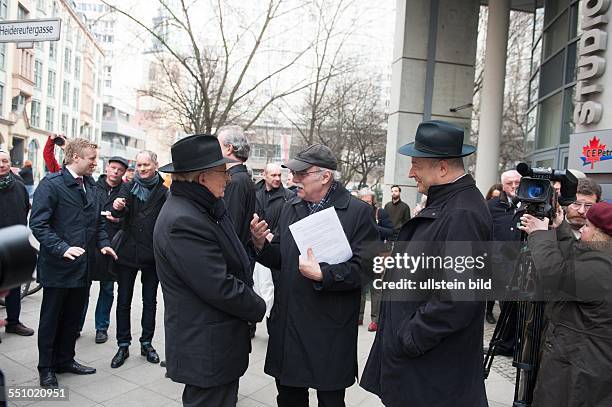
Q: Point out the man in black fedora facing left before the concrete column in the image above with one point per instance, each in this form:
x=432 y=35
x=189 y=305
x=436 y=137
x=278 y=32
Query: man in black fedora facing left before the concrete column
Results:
x=428 y=350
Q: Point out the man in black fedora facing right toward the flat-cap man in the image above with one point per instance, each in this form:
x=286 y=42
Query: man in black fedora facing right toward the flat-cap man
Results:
x=205 y=275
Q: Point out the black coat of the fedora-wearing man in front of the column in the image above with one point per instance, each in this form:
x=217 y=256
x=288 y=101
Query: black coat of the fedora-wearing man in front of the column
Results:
x=429 y=353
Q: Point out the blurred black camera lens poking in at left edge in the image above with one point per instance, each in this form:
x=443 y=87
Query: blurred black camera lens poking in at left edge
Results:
x=17 y=257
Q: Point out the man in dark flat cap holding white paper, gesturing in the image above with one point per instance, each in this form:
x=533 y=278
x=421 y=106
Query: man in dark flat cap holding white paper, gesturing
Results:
x=313 y=323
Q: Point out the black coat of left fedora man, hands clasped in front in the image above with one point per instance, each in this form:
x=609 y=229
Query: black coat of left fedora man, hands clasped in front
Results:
x=207 y=303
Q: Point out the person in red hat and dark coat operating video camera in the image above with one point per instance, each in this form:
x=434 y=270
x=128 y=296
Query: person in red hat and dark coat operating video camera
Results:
x=577 y=353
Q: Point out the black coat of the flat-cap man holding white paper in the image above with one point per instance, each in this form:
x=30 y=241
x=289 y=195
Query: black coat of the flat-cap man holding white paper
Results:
x=313 y=325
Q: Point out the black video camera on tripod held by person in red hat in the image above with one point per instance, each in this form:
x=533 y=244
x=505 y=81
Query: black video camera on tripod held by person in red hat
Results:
x=536 y=193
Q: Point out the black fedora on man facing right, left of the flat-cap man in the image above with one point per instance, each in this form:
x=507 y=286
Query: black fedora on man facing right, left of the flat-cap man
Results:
x=193 y=153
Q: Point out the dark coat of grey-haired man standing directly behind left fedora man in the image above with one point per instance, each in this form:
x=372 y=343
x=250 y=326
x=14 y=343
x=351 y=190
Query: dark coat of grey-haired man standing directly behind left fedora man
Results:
x=240 y=201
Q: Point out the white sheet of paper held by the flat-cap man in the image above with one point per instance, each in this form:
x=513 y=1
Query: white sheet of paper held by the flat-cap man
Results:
x=323 y=233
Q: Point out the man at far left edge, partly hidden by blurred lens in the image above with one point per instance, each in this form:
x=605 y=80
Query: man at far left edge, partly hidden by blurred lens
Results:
x=14 y=208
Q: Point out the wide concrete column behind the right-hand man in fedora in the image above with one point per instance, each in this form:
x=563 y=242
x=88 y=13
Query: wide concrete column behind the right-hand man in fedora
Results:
x=432 y=72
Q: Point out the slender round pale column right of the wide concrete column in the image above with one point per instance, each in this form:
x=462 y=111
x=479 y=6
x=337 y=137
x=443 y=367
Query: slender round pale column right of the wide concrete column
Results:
x=492 y=95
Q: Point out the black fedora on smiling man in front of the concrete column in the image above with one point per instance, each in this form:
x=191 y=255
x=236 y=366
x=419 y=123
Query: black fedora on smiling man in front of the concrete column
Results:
x=438 y=139
